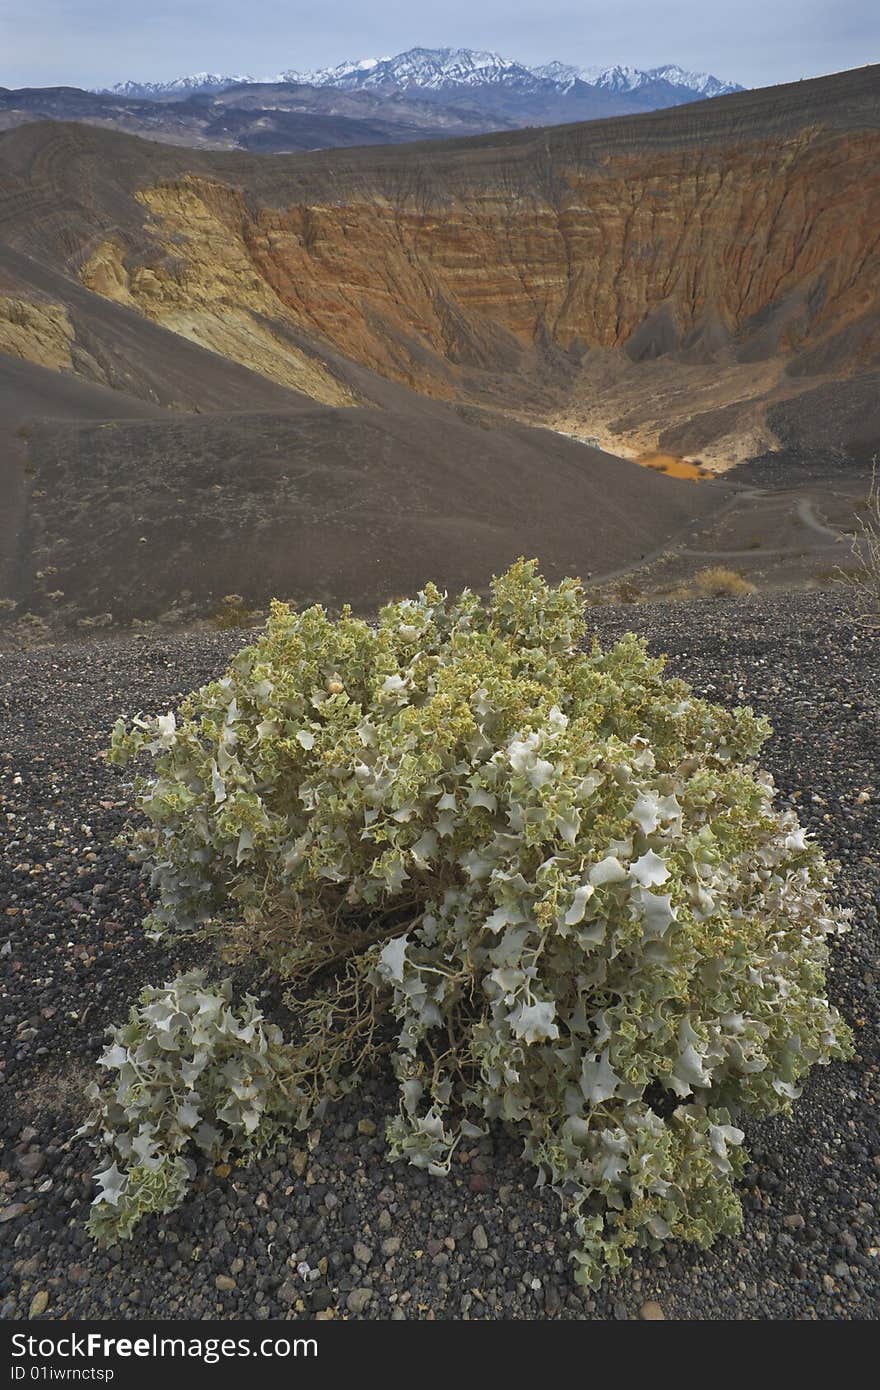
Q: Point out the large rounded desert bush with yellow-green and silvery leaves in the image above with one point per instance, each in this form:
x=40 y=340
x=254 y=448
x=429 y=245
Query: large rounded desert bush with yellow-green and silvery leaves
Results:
x=557 y=876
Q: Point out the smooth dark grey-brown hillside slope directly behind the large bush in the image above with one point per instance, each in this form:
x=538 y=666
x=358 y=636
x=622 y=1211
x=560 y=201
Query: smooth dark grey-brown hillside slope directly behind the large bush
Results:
x=154 y=511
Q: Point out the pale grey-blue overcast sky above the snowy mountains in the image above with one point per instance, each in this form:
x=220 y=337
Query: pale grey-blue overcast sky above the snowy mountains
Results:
x=756 y=42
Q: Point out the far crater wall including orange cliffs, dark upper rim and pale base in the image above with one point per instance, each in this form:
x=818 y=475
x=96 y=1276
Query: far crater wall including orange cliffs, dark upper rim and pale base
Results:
x=728 y=254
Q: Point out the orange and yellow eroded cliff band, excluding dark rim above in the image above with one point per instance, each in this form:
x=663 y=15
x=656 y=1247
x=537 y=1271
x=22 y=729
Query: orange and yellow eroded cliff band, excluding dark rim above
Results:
x=749 y=255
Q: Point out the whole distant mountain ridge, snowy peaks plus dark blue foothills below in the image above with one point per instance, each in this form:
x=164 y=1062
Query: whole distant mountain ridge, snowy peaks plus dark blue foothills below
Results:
x=419 y=95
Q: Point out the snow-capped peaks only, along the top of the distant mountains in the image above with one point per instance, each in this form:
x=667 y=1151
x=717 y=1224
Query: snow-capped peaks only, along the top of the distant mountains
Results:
x=436 y=72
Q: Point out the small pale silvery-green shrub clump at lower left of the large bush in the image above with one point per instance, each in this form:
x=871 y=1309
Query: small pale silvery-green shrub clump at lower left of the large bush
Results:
x=187 y=1075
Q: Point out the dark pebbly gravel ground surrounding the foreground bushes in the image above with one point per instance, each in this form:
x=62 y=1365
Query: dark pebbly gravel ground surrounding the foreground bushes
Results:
x=327 y=1228
